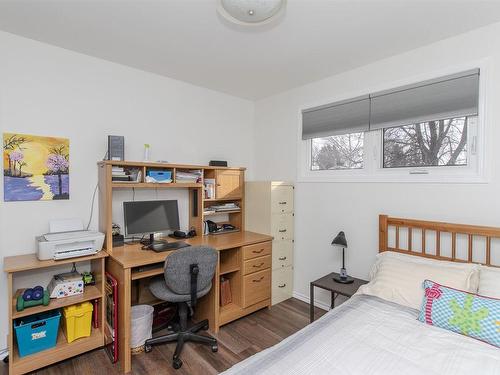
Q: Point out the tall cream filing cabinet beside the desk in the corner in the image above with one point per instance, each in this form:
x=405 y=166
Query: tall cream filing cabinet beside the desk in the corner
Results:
x=269 y=209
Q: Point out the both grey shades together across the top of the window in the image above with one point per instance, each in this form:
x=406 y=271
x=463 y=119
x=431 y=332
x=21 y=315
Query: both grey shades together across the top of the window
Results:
x=455 y=95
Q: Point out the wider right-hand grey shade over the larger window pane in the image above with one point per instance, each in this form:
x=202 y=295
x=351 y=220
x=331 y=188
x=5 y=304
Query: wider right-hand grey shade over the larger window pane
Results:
x=446 y=97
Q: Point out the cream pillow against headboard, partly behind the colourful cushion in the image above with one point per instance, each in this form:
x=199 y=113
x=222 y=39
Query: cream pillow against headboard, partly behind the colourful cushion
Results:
x=398 y=278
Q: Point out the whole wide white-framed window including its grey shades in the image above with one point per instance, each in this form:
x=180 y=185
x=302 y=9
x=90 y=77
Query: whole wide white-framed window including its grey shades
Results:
x=423 y=132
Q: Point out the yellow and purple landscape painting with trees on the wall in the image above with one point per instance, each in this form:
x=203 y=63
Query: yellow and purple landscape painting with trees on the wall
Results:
x=35 y=167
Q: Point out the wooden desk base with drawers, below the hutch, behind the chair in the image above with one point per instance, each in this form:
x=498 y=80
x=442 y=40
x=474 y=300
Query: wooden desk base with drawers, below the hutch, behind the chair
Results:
x=244 y=259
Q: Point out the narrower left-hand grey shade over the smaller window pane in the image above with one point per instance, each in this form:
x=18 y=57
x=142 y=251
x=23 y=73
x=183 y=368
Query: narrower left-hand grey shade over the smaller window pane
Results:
x=347 y=116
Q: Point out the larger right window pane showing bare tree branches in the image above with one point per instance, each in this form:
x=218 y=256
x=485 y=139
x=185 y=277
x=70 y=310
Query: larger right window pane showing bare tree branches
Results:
x=433 y=143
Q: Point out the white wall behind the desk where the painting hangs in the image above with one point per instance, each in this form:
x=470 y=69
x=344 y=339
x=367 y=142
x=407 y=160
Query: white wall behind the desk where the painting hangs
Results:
x=51 y=91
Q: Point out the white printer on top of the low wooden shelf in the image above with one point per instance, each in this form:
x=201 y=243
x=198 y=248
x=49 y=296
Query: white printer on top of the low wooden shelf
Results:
x=68 y=239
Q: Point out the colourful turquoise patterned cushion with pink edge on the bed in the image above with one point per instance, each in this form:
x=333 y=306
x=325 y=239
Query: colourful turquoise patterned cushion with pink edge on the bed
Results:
x=462 y=312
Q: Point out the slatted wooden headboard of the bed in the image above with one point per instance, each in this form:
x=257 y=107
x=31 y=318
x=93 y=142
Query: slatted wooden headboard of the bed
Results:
x=391 y=231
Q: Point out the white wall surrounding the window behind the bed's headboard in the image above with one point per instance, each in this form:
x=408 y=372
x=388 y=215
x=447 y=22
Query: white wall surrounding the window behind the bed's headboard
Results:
x=322 y=209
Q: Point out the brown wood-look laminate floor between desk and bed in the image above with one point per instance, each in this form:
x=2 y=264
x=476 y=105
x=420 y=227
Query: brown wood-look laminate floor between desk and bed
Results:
x=237 y=341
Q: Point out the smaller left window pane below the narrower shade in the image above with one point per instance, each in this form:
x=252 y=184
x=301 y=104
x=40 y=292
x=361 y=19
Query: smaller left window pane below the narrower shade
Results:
x=337 y=152
